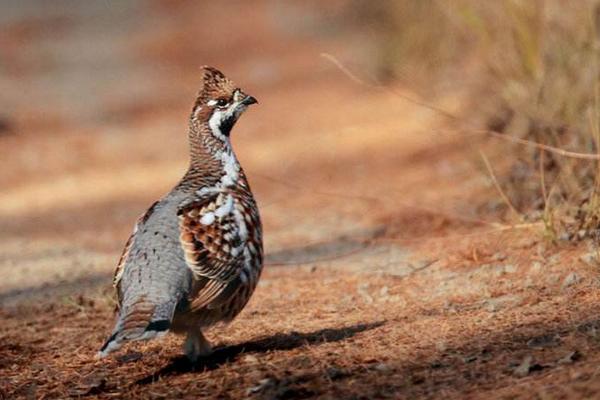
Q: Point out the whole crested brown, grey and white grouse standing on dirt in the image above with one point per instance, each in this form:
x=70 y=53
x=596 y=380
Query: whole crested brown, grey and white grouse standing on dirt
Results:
x=196 y=255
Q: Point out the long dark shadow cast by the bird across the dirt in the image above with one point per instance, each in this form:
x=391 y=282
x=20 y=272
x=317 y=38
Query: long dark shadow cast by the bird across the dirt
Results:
x=222 y=355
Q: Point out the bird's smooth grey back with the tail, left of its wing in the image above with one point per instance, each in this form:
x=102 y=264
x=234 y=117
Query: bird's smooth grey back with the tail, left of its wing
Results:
x=152 y=277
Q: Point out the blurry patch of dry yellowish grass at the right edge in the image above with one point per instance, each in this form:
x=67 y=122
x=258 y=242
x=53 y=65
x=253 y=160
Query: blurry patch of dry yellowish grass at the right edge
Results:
x=536 y=64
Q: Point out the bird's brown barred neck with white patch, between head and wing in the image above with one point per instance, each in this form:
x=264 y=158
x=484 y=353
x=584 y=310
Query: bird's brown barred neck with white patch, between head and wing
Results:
x=213 y=163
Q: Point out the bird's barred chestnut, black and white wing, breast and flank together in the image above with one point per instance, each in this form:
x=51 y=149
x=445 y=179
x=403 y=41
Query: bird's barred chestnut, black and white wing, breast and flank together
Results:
x=221 y=236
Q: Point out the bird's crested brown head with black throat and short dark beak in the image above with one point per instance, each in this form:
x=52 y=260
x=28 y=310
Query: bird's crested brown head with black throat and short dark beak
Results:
x=219 y=103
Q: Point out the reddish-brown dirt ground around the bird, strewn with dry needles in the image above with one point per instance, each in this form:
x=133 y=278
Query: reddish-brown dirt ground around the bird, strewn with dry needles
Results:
x=388 y=272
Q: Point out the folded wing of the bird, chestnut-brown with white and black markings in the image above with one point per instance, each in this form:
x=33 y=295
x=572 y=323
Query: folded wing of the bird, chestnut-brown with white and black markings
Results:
x=212 y=237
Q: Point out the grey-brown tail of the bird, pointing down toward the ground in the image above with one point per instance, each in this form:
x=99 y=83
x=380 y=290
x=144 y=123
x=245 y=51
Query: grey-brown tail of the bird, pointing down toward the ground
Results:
x=142 y=320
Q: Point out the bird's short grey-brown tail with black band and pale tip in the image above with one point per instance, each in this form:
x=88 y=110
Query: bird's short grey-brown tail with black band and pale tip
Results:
x=130 y=327
